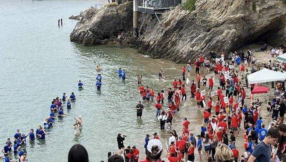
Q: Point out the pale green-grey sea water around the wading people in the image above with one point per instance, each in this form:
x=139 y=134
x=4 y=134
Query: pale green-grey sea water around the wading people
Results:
x=39 y=63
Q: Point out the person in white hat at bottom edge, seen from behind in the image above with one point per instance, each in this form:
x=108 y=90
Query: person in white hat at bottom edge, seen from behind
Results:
x=154 y=151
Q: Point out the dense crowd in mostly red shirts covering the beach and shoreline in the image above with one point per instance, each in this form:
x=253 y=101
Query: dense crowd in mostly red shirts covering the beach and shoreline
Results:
x=229 y=113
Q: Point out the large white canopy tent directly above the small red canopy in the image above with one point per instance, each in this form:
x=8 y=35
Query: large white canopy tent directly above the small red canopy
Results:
x=265 y=75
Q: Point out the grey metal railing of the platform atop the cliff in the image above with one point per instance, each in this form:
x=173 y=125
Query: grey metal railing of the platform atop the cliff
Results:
x=159 y=3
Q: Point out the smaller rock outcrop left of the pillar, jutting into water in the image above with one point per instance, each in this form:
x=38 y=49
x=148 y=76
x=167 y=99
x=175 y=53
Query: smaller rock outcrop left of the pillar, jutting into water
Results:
x=97 y=25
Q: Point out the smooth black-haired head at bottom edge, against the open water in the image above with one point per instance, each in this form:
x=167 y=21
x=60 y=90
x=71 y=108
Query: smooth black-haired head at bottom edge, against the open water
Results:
x=78 y=153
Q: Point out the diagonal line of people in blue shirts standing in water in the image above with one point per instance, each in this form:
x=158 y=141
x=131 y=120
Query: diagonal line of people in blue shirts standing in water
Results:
x=19 y=143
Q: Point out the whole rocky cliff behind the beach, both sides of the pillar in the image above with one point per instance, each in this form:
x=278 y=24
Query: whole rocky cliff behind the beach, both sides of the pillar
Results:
x=219 y=25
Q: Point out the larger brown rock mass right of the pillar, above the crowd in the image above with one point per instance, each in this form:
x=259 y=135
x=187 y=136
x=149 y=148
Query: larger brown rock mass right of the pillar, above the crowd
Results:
x=219 y=25
